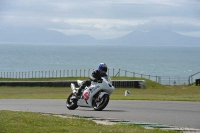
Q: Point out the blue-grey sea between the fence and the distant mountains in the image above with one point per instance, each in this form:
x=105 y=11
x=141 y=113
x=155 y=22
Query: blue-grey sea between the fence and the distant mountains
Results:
x=150 y=60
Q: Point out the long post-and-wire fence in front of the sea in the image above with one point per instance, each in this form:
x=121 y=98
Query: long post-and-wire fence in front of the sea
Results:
x=165 y=80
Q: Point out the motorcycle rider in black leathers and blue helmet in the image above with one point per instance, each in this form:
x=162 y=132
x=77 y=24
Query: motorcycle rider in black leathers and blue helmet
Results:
x=96 y=77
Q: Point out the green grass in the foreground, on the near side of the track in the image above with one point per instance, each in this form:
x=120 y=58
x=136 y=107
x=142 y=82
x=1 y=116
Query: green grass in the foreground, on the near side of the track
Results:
x=28 y=122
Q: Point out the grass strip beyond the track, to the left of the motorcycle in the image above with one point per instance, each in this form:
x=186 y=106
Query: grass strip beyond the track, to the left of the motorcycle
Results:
x=34 y=92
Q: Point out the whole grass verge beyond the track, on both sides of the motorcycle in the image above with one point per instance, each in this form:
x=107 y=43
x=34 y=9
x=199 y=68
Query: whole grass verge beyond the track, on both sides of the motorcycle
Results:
x=153 y=91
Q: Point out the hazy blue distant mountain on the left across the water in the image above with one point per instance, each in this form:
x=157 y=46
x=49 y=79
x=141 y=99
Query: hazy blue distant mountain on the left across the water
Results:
x=31 y=35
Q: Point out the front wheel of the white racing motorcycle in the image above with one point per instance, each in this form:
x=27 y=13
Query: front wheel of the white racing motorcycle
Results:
x=100 y=104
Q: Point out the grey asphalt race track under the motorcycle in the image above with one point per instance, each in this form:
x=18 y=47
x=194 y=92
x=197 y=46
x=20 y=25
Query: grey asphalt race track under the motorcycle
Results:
x=181 y=114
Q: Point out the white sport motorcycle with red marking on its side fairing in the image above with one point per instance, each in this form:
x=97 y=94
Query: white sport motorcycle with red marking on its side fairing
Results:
x=96 y=95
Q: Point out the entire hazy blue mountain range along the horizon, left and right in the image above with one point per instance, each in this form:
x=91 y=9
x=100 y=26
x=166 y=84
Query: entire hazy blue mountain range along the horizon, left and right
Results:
x=156 y=37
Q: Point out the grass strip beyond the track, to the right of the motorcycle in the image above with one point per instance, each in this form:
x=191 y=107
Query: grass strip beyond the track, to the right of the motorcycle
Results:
x=180 y=93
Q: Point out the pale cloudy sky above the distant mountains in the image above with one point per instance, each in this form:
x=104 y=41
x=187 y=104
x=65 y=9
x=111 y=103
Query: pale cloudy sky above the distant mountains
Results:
x=102 y=19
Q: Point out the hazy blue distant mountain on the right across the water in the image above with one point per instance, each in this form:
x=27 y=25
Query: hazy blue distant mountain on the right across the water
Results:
x=156 y=37
